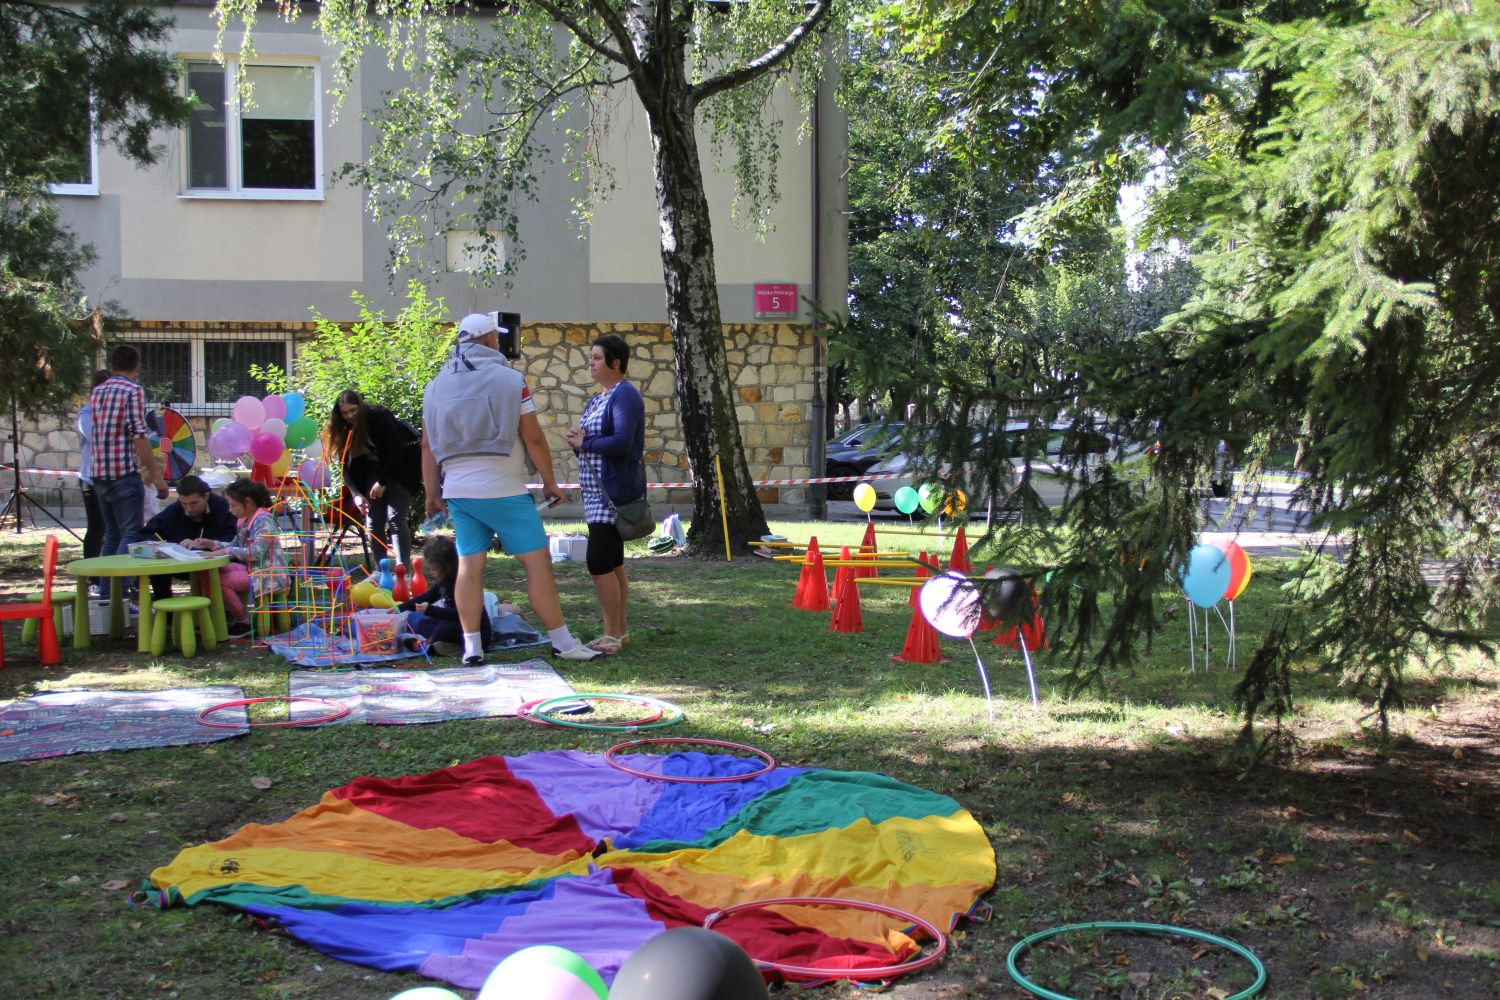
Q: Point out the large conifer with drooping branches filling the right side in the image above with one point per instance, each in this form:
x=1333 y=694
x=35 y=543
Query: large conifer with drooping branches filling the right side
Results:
x=1331 y=169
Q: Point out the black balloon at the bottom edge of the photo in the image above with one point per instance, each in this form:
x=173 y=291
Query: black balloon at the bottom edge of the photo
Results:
x=691 y=963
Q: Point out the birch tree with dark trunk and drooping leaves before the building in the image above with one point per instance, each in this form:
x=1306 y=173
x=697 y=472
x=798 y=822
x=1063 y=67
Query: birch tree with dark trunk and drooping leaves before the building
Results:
x=458 y=149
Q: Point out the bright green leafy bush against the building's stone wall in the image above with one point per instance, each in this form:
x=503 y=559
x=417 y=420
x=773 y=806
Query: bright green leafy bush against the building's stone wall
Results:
x=388 y=364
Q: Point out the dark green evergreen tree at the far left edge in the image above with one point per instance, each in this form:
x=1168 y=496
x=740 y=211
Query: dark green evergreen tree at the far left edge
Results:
x=67 y=73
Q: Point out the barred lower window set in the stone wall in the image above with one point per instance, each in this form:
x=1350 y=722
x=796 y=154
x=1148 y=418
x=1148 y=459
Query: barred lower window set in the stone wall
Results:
x=205 y=377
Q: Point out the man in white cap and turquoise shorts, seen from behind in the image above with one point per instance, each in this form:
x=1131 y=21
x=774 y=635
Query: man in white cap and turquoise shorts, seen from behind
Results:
x=479 y=427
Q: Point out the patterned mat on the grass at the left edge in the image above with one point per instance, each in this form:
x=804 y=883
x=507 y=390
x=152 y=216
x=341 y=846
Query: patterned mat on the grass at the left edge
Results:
x=61 y=723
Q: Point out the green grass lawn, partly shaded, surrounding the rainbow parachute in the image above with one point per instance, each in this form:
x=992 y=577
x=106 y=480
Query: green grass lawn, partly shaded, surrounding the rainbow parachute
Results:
x=1360 y=872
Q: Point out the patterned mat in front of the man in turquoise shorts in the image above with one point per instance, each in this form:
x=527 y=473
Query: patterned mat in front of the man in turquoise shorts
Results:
x=400 y=698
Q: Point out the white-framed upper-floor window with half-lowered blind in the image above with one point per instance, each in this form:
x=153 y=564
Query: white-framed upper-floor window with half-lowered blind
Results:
x=265 y=146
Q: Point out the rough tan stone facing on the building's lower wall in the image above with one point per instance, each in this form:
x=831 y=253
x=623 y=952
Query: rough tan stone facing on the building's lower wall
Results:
x=772 y=367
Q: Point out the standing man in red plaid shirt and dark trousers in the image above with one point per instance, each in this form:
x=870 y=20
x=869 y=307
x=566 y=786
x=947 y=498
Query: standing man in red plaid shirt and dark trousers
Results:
x=122 y=452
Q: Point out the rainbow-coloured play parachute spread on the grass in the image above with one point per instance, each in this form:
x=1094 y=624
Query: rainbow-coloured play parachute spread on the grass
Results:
x=451 y=872
